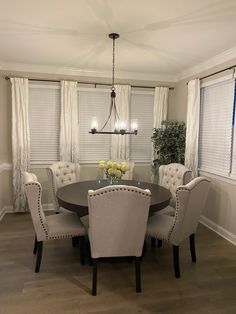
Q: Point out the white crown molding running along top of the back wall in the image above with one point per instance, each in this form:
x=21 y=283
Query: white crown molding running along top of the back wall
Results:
x=55 y=70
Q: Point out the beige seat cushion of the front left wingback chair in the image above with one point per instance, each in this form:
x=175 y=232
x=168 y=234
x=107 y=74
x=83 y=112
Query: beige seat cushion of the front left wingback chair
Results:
x=64 y=225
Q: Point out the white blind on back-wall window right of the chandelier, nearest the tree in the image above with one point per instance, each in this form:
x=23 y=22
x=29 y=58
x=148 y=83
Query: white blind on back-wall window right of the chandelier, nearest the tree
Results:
x=142 y=110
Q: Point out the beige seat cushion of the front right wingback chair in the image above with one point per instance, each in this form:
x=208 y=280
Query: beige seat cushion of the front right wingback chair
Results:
x=159 y=226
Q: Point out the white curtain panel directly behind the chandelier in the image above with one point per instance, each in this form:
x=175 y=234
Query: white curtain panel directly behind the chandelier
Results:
x=120 y=143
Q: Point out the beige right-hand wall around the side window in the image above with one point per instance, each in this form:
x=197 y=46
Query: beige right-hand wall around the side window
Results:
x=220 y=212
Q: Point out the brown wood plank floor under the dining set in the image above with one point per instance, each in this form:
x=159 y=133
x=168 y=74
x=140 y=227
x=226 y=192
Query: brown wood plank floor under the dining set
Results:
x=64 y=286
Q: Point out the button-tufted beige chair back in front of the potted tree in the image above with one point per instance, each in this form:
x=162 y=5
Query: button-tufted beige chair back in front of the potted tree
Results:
x=172 y=176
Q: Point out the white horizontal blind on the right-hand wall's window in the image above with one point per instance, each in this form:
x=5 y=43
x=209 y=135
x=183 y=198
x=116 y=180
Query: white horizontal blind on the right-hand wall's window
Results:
x=216 y=127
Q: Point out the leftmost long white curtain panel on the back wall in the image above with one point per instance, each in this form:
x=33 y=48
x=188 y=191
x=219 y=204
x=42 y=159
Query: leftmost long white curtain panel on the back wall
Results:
x=20 y=140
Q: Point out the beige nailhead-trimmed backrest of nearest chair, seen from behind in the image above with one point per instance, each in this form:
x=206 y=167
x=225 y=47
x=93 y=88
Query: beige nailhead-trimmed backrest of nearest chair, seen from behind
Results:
x=117 y=220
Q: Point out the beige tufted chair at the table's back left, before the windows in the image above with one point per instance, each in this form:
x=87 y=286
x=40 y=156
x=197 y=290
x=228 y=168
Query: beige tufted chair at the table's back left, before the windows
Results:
x=60 y=174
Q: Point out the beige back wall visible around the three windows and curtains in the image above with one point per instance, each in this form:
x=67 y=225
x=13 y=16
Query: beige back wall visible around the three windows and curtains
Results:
x=141 y=172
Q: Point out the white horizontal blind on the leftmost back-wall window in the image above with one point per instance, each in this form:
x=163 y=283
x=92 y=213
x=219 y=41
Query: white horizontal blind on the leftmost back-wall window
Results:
x=44 y=122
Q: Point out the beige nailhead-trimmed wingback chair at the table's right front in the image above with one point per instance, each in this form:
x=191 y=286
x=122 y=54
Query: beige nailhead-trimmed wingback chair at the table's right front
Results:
x=190 y=201
